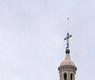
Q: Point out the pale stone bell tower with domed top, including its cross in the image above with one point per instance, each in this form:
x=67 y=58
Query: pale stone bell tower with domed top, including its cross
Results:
x=67 y=68
